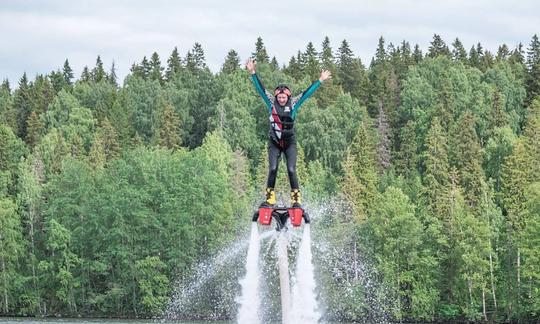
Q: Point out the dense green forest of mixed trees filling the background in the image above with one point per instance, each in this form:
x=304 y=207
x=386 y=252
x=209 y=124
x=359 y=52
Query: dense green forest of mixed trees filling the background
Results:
x=110 y=190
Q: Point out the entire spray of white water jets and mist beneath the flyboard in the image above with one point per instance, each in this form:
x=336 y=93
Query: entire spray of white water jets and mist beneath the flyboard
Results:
x=250 y=282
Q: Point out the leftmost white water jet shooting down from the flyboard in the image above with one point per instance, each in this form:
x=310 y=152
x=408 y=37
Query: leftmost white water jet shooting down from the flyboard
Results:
x=249 y=299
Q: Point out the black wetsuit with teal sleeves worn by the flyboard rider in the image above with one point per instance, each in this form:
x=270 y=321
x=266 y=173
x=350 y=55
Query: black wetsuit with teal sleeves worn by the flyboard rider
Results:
x=281 y=133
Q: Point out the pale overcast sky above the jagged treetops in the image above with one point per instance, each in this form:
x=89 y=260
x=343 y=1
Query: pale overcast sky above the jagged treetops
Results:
x=37 y=36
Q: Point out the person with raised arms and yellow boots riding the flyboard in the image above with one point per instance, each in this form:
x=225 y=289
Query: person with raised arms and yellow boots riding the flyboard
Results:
x=282 y=111
